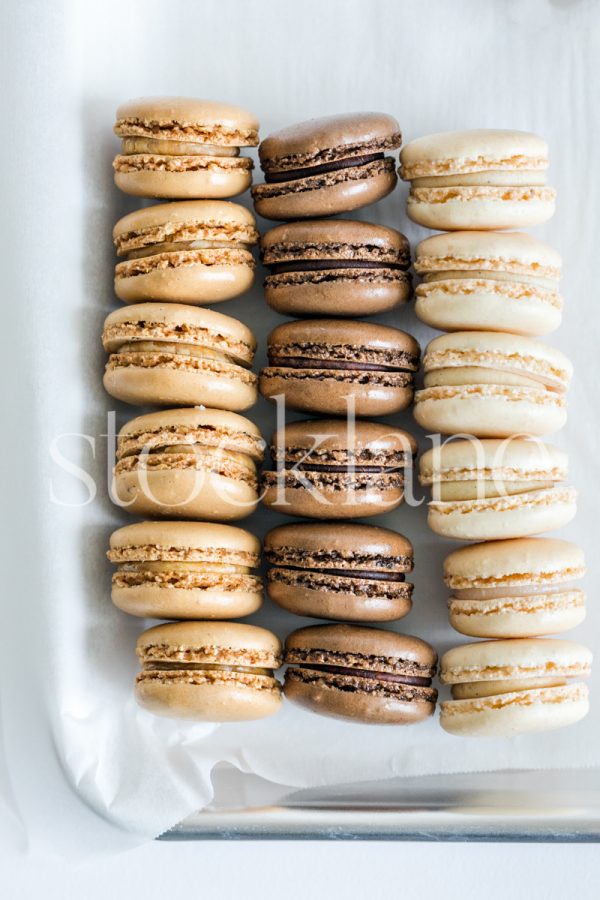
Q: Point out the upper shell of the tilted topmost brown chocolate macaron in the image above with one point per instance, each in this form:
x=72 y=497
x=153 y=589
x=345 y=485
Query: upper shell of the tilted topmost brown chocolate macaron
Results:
x=317 y=142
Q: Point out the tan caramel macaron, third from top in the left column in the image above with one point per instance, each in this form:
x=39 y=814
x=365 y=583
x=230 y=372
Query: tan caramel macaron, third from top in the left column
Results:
x=166 y=354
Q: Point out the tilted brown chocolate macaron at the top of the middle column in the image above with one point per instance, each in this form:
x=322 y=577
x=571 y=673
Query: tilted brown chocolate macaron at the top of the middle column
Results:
x=326 y=166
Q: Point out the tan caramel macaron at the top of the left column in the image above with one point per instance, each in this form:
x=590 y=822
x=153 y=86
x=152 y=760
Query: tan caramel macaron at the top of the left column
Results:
x=182 y=148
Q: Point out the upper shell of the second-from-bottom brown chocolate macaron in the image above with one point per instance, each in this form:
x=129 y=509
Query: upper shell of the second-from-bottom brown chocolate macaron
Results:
x=338 y=545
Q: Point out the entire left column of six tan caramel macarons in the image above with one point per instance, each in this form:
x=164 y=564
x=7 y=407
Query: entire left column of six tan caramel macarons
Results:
x=190 y=467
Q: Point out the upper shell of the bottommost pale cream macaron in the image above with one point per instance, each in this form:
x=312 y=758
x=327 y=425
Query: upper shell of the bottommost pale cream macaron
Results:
x=516 y=659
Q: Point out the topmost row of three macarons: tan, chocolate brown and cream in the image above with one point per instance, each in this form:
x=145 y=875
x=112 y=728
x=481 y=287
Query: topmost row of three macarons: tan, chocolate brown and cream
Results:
x=181 y=148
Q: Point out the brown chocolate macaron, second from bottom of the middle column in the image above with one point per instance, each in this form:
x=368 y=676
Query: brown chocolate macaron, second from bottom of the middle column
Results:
x=345 y=571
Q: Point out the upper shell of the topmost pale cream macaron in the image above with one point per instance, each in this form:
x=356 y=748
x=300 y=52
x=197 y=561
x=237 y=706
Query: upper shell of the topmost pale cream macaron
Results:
x=477 y=150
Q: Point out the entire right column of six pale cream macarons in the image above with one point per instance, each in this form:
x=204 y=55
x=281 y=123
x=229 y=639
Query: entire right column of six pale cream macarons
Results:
x=492 y=384
